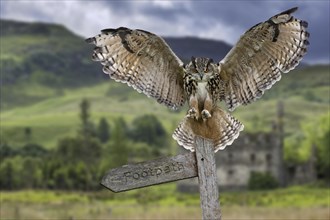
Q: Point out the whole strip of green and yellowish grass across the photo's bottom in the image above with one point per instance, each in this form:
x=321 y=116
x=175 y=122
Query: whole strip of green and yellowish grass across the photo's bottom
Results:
x=299 y=202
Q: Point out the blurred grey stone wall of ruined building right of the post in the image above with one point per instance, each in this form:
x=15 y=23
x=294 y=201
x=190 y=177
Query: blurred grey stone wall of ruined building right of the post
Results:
x=250 y=152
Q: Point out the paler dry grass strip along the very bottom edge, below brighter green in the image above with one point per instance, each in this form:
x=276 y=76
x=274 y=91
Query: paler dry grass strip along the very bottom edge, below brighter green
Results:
x=102 y=211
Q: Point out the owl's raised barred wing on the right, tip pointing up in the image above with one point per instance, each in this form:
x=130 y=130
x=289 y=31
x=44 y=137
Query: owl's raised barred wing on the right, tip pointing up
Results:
x=260 y=56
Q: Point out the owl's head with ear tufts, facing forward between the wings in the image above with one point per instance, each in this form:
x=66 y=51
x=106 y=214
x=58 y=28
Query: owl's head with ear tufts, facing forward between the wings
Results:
x=200 y=68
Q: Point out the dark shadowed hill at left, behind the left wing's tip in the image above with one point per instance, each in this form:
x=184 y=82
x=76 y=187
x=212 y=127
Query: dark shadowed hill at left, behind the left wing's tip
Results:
x=45 y=57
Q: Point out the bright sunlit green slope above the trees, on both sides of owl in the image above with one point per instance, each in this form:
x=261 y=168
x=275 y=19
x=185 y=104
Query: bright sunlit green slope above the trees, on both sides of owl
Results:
x=305 y=94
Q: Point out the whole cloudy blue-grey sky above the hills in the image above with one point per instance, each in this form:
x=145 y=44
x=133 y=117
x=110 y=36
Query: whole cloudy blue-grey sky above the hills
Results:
x=222 y=20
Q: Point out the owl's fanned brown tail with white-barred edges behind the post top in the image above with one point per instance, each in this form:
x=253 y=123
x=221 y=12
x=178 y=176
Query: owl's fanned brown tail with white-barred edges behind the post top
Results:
x=221 y=128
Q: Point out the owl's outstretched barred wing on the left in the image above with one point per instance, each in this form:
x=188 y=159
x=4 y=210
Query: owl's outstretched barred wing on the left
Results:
x=142 y=60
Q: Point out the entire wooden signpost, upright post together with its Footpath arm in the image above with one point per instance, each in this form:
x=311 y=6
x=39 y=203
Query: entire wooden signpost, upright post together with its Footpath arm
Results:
x=199 y=164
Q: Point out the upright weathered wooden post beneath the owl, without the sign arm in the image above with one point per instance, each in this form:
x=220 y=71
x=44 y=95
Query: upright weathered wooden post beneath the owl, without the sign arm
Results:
x=208 y=187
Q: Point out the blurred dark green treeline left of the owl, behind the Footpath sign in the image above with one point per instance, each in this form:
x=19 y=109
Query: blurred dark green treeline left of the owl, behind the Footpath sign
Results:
x=79 y=162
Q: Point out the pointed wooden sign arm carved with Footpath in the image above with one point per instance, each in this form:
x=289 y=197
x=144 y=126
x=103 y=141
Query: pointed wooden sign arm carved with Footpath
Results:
x=152 y=172
